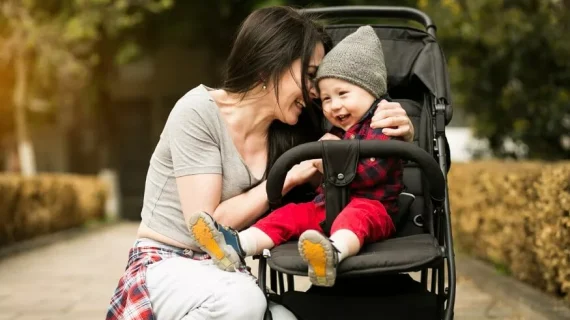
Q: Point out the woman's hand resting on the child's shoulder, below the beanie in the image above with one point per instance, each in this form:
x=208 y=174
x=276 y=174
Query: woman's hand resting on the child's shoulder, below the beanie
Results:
x=393 y=119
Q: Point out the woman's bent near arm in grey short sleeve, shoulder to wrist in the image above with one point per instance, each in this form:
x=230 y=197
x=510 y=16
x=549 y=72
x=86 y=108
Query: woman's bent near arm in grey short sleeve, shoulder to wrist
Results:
x=197 y=166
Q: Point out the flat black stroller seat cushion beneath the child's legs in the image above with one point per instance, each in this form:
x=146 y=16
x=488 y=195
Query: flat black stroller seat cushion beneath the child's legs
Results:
x=394 y=255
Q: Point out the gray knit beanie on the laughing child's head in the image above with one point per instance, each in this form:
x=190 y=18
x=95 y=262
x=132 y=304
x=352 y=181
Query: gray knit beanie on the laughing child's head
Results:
x=358 y=59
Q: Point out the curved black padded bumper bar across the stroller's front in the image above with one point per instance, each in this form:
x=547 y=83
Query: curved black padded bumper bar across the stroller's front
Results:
x=367 y=148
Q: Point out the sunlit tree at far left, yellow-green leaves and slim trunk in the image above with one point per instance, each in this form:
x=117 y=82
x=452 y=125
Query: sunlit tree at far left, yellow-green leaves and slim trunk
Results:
x=50 y=46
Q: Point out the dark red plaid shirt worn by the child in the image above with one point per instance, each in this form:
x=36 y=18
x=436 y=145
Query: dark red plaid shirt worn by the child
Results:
x=376 y=178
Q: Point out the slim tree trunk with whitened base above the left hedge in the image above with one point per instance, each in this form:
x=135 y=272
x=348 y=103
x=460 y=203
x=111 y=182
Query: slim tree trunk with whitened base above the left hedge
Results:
x=25 y=146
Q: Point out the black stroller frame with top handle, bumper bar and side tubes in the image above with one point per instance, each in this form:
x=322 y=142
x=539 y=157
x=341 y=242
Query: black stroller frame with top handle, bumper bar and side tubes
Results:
x=435 y=166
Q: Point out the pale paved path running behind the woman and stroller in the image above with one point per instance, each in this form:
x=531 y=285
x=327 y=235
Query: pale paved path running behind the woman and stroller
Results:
x=75 y=278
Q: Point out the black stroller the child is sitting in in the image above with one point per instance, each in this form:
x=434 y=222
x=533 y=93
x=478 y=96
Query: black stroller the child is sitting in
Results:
x=375 y=284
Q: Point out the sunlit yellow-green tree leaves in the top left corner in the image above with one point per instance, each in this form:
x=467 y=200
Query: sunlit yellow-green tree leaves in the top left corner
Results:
x=59 y=39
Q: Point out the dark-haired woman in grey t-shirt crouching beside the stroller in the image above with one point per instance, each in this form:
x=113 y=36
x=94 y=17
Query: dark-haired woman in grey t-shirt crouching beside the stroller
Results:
x=215 y=150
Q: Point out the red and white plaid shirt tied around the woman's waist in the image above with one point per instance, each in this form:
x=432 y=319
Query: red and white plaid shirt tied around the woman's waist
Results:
x=131 y=299
